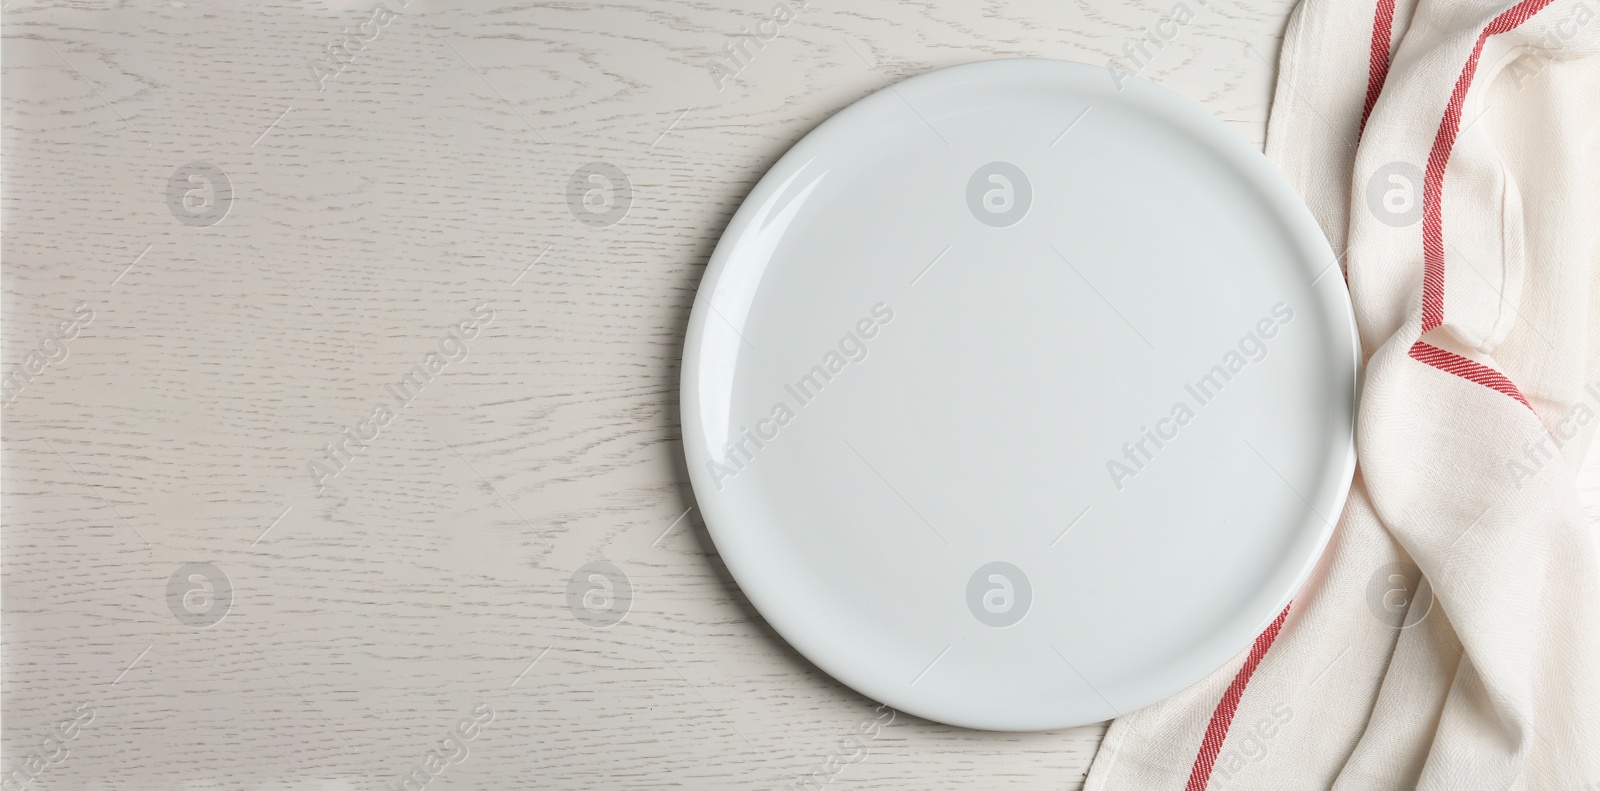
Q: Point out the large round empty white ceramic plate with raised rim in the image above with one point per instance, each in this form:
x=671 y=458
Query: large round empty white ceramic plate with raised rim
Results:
x=1018 y=401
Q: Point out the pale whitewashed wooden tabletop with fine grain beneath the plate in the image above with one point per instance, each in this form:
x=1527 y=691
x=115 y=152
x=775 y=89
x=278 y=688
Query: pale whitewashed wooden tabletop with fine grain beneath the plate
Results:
x=369 y=219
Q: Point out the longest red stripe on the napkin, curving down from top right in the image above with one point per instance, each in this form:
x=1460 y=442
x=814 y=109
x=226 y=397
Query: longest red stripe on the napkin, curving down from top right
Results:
x=1434 y=177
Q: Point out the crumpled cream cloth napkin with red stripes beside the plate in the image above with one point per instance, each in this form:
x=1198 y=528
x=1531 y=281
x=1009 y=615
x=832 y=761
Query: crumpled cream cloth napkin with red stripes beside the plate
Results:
x=1452 y=151
